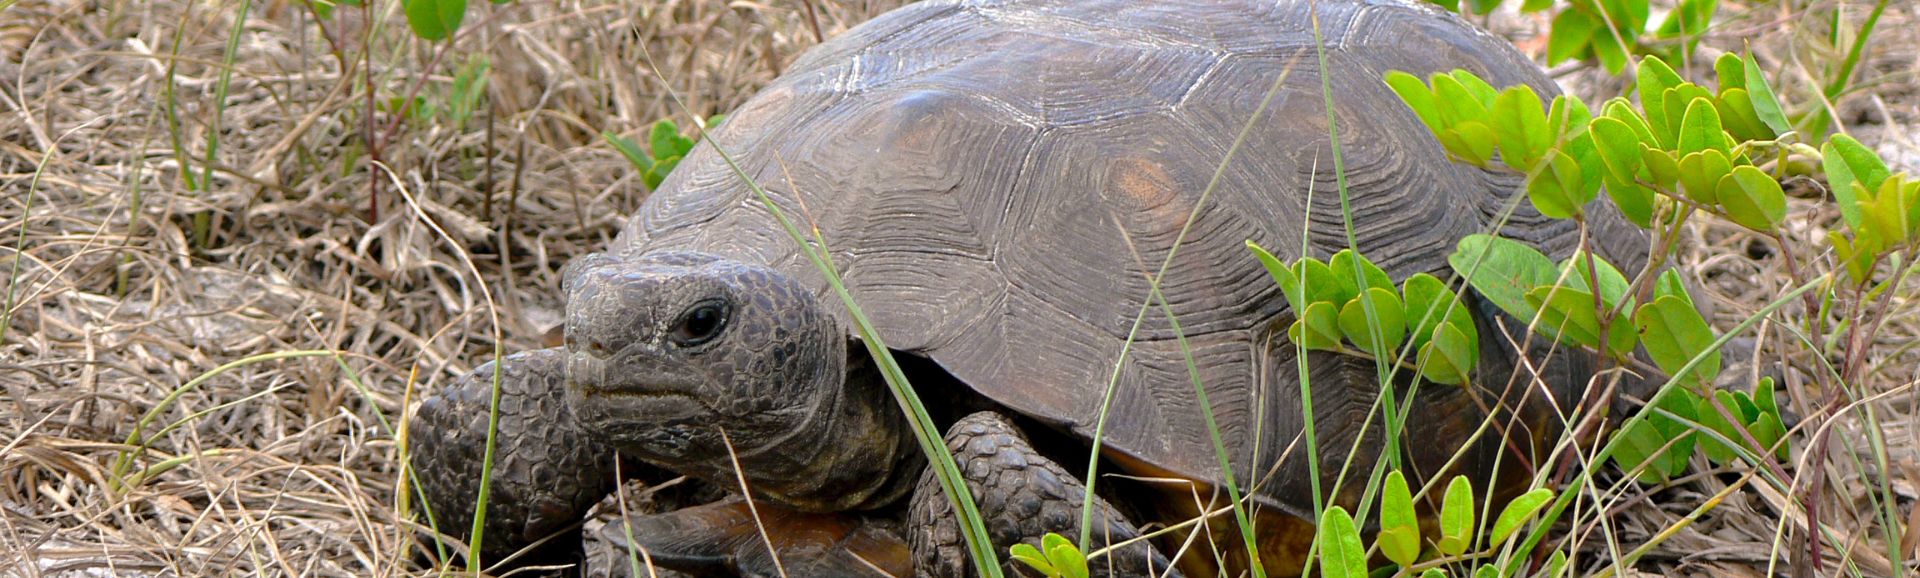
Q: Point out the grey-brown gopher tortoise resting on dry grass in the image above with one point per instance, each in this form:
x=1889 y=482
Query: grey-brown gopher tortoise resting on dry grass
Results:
x=997 y=181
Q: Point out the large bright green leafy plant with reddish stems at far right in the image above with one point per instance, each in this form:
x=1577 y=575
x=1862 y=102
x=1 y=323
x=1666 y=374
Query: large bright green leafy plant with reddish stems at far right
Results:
x=1681 y=153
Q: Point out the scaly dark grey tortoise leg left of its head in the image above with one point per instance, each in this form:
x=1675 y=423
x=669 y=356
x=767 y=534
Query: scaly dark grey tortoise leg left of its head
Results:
x=546 y=471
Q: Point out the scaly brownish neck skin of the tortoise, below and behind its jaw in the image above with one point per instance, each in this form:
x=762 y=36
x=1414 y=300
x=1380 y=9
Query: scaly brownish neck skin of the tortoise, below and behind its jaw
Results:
x=855 y=452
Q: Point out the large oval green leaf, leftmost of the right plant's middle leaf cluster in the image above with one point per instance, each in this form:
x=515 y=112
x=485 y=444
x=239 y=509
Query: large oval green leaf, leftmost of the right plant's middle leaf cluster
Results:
x=1508 y=272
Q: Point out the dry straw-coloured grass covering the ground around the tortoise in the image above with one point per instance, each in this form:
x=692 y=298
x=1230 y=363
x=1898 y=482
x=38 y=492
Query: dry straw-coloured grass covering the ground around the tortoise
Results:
x=126 y=283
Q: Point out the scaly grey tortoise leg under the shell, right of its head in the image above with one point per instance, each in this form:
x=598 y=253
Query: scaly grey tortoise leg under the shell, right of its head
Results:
x=1022 y=496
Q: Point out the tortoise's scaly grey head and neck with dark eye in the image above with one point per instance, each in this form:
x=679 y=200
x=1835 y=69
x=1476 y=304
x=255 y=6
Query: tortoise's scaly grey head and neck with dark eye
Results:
x=692 y=362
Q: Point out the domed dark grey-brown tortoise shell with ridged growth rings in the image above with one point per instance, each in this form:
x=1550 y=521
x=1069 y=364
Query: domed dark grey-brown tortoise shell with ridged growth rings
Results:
x=997 y=180
